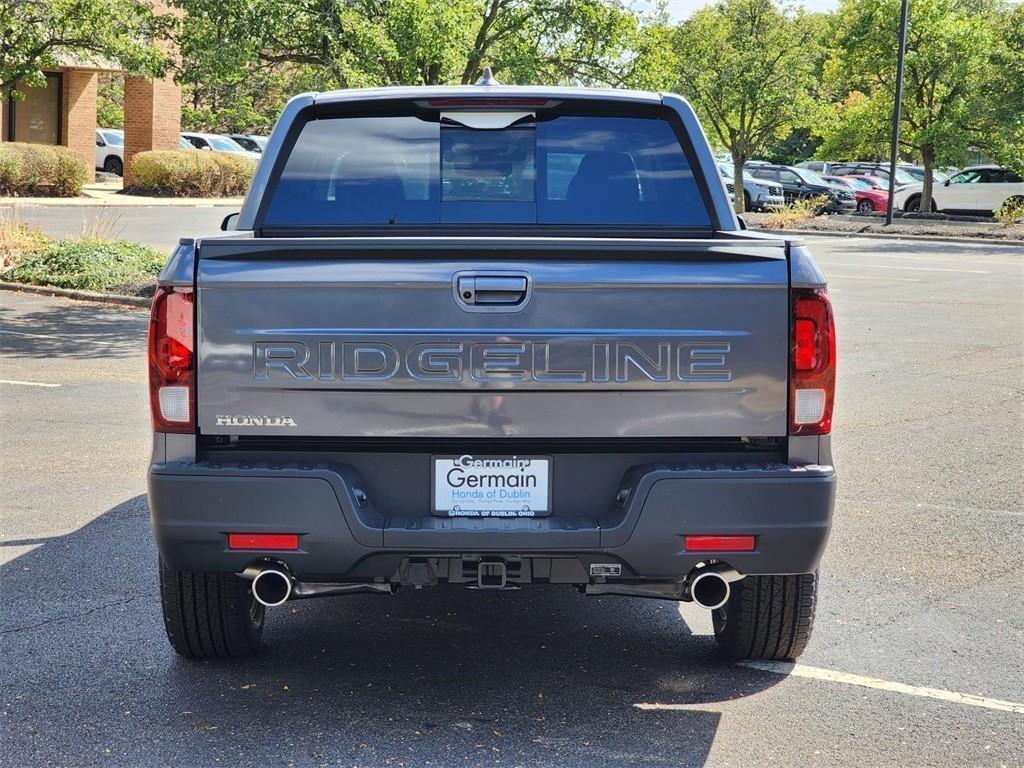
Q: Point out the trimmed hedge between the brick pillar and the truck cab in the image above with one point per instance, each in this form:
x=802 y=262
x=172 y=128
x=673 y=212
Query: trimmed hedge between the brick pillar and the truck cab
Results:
x=191 y=174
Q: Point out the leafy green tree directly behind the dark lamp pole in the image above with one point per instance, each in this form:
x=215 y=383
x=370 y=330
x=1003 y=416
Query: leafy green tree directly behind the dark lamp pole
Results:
x=948 y=62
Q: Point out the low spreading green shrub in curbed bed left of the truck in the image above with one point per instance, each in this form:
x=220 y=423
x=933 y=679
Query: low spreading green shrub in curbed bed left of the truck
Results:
x=90 y=266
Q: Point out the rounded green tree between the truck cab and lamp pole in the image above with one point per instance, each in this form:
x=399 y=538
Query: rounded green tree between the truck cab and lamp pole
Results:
x=749 y=68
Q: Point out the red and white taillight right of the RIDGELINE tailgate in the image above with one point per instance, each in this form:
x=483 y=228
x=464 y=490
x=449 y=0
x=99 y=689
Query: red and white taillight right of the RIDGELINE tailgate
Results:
x=813 y=363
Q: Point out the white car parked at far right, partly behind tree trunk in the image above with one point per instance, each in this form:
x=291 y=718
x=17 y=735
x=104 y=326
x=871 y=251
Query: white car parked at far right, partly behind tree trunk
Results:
x=978 y=190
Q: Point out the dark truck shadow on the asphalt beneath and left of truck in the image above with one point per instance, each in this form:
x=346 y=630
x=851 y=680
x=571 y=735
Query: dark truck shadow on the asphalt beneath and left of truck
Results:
x=443 y=677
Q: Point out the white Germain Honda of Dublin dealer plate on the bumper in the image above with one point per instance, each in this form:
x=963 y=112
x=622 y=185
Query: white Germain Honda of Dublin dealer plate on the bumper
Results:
x=492 y=486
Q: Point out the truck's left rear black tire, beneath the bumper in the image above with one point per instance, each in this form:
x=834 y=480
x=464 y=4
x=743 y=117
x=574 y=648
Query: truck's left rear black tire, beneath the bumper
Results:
x=210 y=616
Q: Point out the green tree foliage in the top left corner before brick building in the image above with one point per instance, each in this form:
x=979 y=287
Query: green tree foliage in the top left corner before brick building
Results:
x=37 y=34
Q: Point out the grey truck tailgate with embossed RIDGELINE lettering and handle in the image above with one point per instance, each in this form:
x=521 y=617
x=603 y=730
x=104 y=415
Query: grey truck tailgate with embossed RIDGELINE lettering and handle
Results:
x=492 y=337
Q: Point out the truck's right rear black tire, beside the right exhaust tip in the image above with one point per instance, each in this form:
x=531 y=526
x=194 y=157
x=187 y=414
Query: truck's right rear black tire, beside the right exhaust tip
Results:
x=767 y=618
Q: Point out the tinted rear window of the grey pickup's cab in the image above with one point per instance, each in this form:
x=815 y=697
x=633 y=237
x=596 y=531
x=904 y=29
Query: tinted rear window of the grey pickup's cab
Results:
x=567 y=169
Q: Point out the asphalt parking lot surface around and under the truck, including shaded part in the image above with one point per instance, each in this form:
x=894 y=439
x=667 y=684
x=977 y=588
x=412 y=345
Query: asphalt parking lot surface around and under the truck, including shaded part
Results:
x=916 y=661
